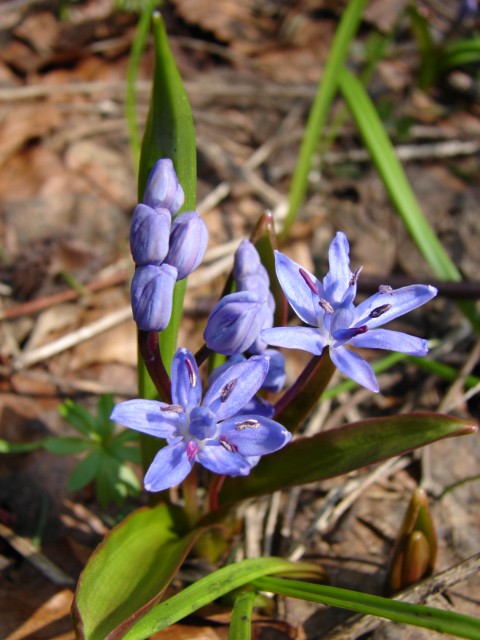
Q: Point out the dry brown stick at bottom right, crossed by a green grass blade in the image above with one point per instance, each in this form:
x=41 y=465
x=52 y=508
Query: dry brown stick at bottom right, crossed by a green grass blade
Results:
x=358 y=626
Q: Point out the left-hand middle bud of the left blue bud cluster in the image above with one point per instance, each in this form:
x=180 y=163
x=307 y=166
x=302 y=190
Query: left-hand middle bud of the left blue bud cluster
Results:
x=149 y=235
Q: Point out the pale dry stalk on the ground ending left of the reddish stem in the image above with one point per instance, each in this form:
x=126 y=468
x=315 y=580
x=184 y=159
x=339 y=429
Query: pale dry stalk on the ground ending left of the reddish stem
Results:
x=72 y=339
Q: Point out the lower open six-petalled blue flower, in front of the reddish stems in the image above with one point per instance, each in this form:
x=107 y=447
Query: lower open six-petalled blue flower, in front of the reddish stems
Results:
x=208 y=431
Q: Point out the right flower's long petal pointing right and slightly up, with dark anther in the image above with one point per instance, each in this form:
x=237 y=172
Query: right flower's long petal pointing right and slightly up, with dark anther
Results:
x=384 y=307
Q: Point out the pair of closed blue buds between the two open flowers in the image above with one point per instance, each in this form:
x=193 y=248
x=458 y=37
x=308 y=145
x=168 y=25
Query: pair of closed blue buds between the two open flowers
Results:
x=236 y=321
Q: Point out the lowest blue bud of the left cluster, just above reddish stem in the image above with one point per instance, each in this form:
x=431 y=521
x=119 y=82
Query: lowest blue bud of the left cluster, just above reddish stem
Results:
x=151 y=295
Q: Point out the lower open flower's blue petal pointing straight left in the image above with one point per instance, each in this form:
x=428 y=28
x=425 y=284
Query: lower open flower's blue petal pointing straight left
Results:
x=149 y=416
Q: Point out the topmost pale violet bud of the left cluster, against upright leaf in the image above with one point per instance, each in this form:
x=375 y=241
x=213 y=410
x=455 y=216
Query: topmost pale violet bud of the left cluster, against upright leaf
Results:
x=163 y=190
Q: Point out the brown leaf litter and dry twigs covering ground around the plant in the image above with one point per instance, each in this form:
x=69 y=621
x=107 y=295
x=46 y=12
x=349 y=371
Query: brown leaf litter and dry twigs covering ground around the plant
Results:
x=67 y=190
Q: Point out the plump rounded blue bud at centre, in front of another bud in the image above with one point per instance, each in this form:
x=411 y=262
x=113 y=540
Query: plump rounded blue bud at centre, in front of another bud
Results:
x=235 y=322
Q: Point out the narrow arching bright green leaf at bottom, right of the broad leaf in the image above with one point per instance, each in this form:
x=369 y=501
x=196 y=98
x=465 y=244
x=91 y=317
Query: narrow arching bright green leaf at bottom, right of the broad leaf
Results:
x=208 y=589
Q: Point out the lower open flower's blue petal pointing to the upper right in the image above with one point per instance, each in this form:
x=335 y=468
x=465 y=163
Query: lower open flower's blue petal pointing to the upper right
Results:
x=233 y=389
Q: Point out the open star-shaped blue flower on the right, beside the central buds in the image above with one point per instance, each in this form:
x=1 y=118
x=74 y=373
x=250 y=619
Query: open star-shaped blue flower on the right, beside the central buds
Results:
x=335 y=321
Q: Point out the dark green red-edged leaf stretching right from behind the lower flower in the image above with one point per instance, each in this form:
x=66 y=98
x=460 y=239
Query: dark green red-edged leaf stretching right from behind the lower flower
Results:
x=332 y=453
